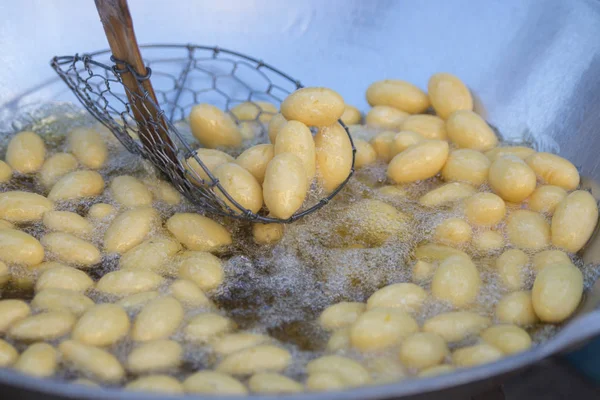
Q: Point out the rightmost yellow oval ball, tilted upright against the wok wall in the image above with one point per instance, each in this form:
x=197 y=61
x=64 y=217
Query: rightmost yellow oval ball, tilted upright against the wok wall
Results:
x=574 y=221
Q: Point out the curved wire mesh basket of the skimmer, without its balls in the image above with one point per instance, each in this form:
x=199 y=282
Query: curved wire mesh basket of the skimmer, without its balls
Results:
x=182 y=76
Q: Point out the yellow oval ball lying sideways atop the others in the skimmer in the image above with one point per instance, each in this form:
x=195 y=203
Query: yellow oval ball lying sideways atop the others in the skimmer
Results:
x=313 y=106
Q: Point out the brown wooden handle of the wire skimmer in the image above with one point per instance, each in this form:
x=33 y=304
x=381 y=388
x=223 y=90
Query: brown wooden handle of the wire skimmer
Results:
x=118 y=28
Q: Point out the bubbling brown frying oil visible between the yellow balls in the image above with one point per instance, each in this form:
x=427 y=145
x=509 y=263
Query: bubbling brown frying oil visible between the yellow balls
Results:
x=278 y=290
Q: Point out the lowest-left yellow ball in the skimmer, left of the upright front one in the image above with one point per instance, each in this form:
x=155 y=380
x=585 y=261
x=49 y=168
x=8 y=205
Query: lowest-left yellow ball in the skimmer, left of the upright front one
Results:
x=241 y=185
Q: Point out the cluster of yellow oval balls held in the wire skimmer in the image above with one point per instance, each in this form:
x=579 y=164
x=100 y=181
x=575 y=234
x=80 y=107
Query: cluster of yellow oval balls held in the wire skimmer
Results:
x=280 y=174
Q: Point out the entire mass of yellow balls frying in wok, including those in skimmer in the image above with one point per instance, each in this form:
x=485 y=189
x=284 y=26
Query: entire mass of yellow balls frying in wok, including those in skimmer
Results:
x=111 y=278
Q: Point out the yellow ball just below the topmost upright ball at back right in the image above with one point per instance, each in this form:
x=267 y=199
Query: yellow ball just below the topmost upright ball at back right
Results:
x=468 y=130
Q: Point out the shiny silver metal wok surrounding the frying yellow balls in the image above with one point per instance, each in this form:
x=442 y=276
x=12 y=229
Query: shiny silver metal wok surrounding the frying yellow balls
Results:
x=534 y=67
